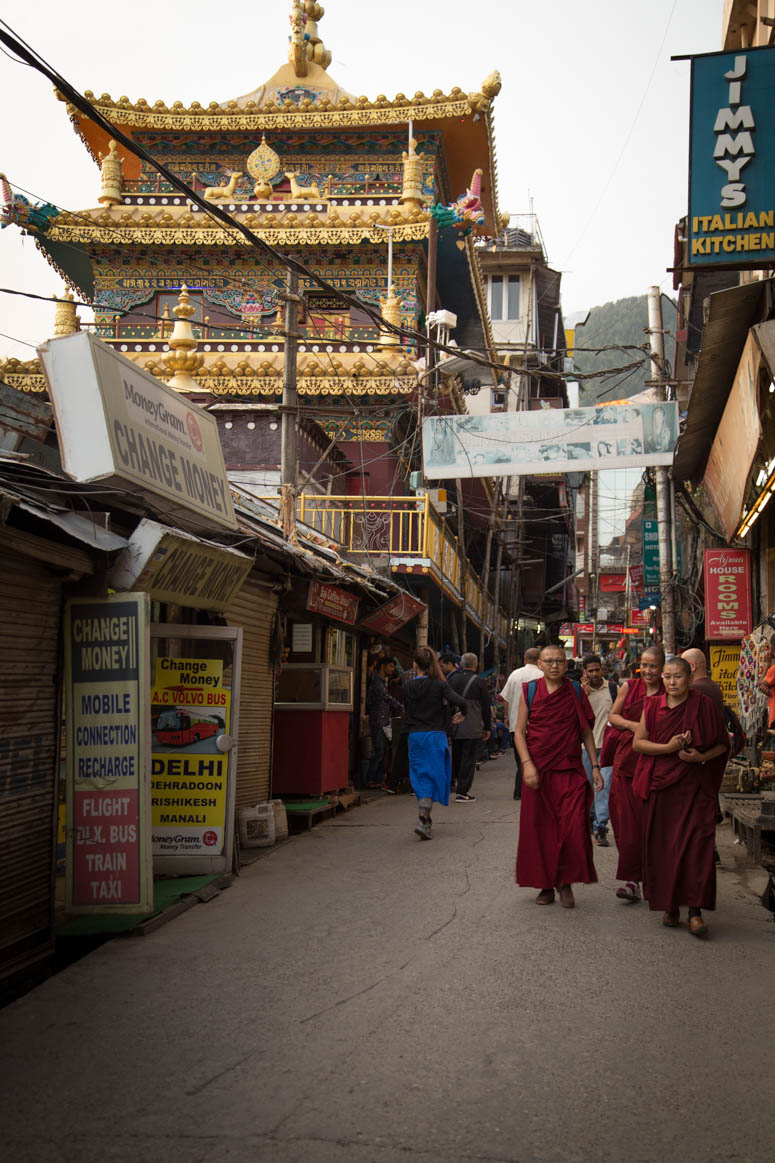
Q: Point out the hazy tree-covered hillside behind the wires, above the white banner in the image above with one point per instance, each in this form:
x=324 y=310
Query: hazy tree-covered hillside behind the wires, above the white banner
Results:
x=623 y=324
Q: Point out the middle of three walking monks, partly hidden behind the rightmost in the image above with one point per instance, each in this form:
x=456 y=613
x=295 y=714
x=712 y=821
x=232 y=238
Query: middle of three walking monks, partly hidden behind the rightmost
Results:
x=627 y=808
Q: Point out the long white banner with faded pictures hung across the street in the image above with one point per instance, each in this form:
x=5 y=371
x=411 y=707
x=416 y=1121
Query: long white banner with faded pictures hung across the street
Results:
x=550 y=440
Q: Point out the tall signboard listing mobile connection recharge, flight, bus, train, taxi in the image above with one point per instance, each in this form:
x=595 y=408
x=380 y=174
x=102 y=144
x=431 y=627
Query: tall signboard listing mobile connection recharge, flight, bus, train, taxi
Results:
x=109 y=858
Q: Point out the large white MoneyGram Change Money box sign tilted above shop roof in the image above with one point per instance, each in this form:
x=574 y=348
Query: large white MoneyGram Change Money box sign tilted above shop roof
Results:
x=123 y=427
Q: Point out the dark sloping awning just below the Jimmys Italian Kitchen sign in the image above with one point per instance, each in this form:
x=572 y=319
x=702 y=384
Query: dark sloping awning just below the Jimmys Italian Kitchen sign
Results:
x=730 y=315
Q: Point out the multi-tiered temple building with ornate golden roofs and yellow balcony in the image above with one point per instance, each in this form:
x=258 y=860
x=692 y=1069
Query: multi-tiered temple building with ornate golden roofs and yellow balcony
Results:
x=345 y=185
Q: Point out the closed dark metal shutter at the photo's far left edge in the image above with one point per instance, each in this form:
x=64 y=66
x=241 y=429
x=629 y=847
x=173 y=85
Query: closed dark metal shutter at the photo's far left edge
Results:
x=30 y=625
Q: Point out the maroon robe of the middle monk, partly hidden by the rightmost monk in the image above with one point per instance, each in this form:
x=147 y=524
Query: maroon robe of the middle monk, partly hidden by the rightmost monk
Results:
x=628 y=809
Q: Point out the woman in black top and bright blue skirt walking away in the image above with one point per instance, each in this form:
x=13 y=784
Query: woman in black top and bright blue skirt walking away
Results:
x=426 y=722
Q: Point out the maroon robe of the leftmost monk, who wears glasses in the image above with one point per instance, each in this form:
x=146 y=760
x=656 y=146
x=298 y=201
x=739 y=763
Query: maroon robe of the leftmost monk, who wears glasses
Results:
x=554 y=844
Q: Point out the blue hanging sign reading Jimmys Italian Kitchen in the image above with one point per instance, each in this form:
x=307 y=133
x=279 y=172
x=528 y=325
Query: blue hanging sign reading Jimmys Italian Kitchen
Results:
x=733 y=159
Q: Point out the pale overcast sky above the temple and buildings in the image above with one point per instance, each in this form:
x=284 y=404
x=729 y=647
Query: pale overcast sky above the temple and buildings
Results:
x=592 y=124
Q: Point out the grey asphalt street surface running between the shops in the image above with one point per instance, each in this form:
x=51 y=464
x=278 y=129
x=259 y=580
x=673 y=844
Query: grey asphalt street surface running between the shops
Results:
x=360 y=996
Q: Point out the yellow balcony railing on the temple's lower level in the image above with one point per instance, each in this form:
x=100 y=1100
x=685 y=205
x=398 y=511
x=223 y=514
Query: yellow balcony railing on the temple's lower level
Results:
x=410 y=532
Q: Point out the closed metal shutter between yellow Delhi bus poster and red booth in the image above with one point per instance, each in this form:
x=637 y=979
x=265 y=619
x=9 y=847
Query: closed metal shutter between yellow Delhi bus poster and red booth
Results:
x=255 y=610
